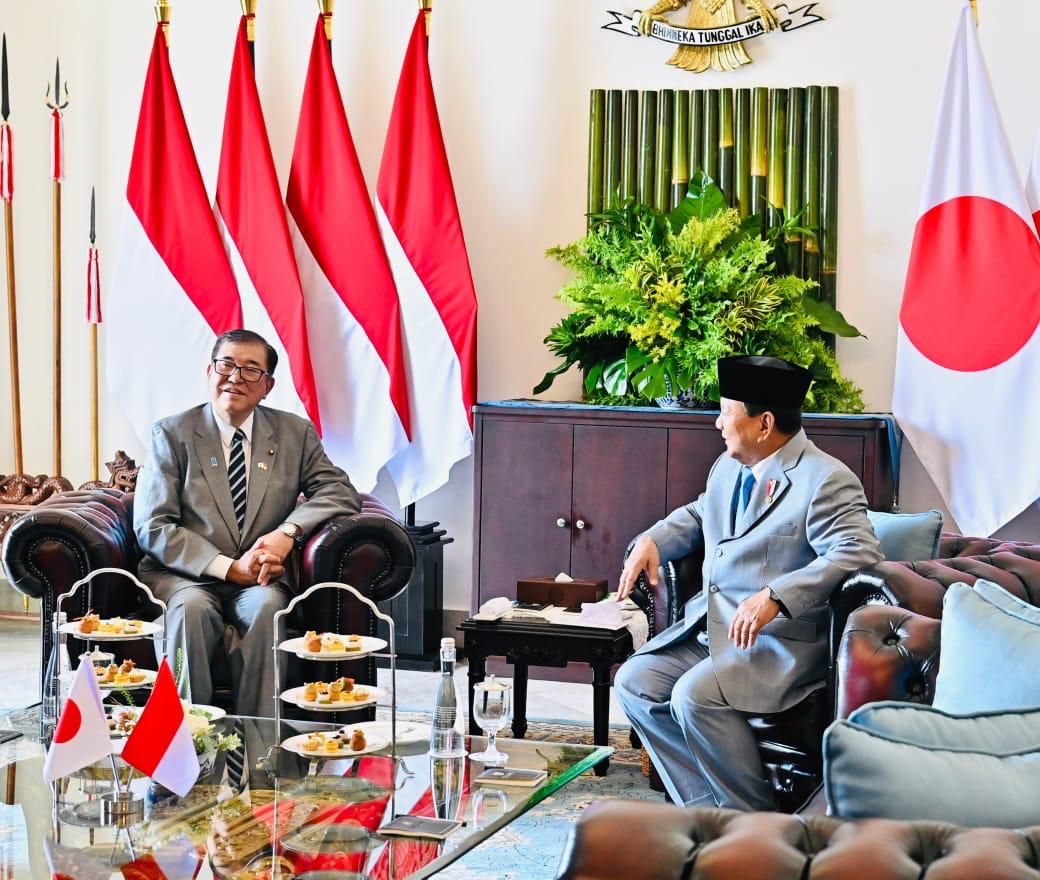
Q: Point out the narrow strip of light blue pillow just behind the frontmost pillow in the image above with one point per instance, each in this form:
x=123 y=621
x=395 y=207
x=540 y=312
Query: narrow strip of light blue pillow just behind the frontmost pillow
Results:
x=998 y=733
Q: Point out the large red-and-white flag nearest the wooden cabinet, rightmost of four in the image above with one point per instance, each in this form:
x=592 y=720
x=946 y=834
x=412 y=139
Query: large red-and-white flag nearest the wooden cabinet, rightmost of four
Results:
x=423 y=234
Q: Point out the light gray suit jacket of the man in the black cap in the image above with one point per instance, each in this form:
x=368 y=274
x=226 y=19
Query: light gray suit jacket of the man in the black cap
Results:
x=801 y=545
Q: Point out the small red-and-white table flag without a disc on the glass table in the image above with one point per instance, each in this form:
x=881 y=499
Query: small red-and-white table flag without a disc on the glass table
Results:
x=161 y=743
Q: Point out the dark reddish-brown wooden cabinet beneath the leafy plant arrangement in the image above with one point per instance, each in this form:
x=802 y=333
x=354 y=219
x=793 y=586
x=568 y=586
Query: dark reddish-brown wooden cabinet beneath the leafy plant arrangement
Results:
x=565 y=487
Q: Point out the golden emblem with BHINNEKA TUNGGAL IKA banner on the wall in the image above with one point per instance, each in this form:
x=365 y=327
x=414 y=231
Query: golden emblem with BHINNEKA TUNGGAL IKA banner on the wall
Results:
x=713 y=37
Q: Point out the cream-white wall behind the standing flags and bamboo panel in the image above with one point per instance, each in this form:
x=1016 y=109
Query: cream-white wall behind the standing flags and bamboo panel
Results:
x=512 y=84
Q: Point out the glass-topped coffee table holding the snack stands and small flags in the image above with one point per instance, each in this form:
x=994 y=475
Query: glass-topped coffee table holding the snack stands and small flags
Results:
x=264 y=812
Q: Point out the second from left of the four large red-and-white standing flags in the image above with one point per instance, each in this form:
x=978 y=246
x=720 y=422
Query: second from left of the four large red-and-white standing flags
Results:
x=252 y=218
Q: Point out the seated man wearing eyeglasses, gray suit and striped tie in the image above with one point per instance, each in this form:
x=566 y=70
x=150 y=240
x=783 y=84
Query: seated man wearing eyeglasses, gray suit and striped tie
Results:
x=217 y=519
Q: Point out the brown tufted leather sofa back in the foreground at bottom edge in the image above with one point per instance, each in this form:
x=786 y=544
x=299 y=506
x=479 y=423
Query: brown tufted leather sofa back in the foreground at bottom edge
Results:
x=658 y=842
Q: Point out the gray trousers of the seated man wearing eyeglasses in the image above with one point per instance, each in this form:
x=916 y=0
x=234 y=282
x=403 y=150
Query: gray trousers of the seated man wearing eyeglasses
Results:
x=242 y=618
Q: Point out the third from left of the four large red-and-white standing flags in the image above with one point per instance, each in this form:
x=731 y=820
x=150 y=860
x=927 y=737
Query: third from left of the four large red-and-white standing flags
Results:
x=353 y=317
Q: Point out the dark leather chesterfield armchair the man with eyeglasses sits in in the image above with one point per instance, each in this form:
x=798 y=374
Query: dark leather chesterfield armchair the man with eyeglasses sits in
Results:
x=67 y=537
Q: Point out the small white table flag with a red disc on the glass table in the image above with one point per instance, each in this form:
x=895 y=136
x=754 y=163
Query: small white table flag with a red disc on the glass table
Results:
x=82 y=735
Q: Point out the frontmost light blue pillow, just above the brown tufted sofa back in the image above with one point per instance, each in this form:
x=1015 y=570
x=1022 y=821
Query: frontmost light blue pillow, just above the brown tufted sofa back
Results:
x=870 y=775
